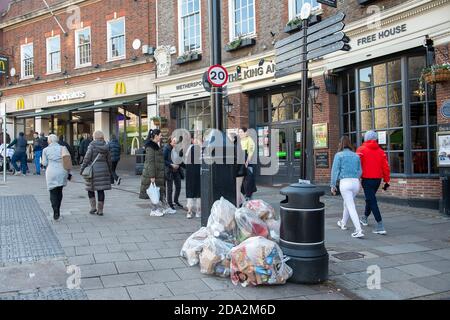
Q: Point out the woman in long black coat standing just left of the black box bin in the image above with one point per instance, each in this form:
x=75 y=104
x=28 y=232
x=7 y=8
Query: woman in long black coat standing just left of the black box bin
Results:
x=193 y=166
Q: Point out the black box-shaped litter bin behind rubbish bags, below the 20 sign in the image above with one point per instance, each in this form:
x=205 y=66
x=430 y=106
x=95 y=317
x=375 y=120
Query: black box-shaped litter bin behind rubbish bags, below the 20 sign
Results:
x=217 y=176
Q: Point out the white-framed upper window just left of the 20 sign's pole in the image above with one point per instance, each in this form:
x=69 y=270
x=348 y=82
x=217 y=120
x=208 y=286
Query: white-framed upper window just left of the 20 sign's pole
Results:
x=189 y=25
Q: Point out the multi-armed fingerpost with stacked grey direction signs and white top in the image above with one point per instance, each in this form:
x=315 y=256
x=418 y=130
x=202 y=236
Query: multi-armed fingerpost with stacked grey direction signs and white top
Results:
x=292 y=56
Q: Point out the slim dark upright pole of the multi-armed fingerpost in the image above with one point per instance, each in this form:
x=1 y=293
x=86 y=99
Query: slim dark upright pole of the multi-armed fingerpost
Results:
x=304 y=95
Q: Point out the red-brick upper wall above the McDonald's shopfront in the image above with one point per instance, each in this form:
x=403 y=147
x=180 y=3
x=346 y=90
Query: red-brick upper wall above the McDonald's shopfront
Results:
x=139 y=24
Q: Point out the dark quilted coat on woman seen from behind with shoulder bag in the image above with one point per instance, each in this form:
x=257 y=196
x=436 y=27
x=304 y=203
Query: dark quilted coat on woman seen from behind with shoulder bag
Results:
x=101 y=179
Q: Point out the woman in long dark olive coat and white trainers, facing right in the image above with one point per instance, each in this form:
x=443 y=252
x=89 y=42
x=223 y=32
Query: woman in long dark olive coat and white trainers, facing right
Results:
x=153 y=172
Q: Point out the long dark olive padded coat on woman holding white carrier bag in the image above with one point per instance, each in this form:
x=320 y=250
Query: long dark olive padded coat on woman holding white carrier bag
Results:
x=153 y=168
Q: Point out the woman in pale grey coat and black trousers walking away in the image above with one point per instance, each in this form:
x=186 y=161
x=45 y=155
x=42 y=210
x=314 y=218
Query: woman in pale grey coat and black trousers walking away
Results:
x=55 y=174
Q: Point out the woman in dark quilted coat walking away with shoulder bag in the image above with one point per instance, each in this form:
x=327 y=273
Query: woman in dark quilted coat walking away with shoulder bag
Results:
x=99 y=157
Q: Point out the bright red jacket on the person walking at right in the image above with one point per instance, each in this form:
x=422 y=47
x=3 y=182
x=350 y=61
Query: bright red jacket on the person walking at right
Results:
x=373 y=161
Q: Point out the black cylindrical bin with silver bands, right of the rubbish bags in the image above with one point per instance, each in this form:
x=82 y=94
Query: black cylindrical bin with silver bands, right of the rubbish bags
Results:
x=302 y=233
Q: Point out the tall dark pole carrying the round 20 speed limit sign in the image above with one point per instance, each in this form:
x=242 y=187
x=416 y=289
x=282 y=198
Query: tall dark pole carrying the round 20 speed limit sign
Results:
x=216 y=58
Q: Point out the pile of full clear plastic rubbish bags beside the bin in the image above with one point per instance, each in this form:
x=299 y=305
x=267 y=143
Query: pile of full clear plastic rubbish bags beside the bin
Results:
x=240 y=244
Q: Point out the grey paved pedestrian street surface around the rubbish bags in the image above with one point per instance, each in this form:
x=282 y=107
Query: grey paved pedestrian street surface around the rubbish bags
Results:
x=126 y=254
